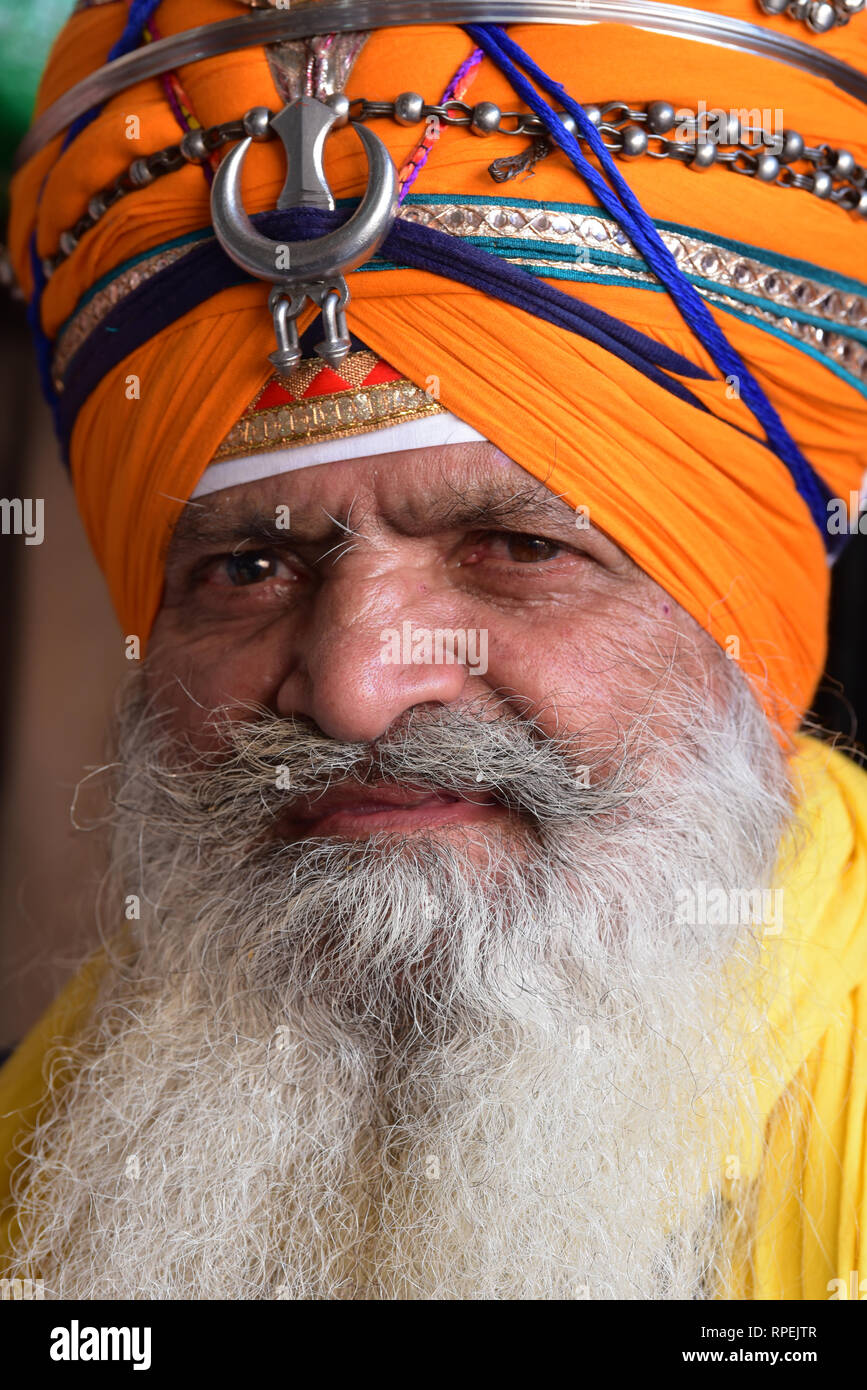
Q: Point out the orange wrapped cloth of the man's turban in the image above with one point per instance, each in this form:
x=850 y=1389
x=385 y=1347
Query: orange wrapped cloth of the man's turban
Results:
x=695 y=497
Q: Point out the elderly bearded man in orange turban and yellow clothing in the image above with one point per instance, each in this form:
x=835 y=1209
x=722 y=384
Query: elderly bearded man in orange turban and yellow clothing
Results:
x=480 y=924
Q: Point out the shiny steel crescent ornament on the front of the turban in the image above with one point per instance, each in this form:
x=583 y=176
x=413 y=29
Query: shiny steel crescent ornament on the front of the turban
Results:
x=336 y=254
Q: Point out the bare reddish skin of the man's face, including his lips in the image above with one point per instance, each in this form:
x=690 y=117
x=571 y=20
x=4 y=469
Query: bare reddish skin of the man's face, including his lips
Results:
x=452 y=537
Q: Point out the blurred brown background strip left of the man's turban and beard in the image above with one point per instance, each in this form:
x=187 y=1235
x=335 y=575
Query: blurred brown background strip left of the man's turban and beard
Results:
x=62 y=661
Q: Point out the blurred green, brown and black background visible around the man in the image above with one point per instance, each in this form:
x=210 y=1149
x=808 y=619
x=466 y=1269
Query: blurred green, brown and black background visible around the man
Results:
x=63 y=654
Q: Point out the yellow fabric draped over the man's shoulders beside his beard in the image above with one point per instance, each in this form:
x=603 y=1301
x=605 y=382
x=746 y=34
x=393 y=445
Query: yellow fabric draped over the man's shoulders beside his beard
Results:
x=808 y=1231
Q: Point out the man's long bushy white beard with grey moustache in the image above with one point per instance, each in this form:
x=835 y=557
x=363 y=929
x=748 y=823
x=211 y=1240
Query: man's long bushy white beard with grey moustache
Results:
x=373 y=1071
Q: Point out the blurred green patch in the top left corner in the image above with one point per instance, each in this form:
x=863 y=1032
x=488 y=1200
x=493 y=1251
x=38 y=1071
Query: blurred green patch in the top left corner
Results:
x=27 y=33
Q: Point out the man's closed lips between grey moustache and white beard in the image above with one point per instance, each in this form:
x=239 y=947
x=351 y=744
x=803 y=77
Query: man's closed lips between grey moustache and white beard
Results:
x=358 y=811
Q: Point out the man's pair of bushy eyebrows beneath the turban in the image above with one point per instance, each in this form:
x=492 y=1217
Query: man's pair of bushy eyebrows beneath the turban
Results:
x=483 y=508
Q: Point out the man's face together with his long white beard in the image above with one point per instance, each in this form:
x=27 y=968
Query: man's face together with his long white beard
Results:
x=426 y=1017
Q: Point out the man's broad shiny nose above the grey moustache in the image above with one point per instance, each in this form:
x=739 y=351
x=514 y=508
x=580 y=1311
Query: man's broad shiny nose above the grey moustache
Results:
x=374 y=647
